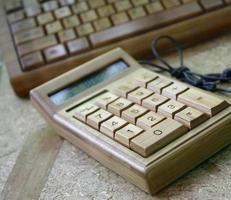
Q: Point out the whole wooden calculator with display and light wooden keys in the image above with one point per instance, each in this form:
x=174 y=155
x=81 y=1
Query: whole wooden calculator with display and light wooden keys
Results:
x=146 y=127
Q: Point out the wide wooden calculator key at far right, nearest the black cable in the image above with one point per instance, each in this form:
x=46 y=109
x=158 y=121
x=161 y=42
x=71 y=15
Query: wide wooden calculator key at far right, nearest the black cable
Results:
x=202 y=101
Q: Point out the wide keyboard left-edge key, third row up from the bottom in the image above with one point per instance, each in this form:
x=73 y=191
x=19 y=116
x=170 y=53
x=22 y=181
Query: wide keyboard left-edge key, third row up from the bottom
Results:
x=27 y=35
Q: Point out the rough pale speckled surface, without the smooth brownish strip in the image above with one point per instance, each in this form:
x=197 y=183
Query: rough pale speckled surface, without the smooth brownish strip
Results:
x=77 y=176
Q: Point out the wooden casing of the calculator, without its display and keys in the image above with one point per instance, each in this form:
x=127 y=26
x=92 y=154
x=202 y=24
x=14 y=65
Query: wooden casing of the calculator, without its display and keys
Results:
x=152 y=173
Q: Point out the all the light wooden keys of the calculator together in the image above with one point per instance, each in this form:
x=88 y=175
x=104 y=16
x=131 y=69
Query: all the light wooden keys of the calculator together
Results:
x=148 y=113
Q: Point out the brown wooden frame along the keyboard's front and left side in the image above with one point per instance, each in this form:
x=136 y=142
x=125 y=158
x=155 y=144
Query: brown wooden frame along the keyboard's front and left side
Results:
x=22 y=81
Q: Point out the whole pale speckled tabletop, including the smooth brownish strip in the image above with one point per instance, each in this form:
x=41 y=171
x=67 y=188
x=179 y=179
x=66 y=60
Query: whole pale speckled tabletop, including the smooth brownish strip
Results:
x=28 y=148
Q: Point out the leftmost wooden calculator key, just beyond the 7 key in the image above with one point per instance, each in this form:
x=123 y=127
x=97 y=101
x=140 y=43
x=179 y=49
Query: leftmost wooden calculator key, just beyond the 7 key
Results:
x=84 y=110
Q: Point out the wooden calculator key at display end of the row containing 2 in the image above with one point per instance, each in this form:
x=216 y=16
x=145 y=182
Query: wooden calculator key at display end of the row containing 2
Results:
x=103 y=100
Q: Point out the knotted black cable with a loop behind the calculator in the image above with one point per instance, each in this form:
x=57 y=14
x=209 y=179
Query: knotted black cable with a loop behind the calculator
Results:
x=210 y=82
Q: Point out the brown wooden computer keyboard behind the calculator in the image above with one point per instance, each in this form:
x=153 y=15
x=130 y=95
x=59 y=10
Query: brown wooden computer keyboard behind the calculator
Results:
x=51 y=37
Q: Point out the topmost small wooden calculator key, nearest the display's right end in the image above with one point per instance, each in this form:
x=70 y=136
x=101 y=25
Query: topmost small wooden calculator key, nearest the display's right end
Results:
x=143 y=78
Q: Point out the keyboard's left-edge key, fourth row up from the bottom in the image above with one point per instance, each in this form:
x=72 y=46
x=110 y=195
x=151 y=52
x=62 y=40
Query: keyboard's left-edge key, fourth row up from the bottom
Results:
x=23 y=24
